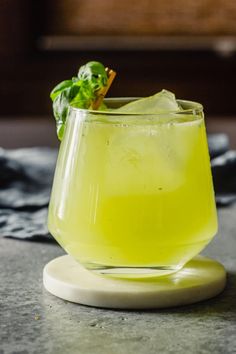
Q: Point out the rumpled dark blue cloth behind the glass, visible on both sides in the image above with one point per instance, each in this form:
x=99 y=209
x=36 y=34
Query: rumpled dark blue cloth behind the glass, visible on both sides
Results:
x=26 y=179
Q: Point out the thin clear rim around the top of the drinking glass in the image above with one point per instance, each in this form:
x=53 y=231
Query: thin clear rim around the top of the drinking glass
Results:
x=197 y=108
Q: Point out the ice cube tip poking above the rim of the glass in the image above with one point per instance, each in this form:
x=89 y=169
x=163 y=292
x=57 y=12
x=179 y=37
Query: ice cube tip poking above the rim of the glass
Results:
x=162 y=102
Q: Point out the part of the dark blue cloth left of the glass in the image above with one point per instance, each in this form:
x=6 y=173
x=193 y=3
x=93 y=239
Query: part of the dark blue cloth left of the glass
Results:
x=25 y=184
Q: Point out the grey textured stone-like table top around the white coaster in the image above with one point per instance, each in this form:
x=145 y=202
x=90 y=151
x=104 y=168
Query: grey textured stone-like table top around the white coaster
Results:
x=33 y=321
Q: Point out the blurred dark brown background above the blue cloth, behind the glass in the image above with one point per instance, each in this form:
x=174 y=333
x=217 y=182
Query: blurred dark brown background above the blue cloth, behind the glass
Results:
x=188 y=47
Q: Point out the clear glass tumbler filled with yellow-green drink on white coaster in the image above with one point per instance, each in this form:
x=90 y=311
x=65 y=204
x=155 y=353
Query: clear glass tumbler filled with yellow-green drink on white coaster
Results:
x=132 y=193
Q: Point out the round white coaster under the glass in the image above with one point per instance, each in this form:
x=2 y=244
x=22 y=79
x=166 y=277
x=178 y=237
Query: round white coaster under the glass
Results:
x=200 y=279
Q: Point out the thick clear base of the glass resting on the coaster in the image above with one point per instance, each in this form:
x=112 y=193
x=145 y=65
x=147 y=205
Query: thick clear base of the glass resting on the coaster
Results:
x=132 y=272
